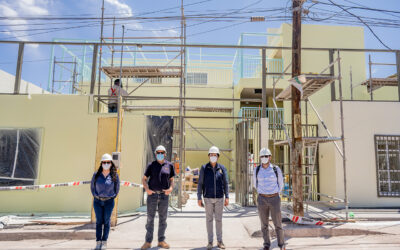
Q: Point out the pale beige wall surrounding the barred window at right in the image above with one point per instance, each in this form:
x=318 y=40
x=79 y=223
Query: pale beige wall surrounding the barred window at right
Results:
x=363 y=120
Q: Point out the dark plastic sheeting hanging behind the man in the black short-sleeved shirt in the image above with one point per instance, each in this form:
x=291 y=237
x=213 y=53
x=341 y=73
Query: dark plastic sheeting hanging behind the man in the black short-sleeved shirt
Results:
x=159 y=132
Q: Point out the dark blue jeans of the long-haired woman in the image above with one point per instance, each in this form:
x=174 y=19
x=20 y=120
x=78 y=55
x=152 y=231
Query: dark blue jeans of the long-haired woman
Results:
x=103 y=210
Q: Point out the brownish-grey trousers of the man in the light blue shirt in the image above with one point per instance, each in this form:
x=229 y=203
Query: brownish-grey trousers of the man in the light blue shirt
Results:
x=265 y=205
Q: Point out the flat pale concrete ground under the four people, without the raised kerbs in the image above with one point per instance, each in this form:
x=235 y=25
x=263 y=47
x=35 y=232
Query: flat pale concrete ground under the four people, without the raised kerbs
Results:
x=187 y=230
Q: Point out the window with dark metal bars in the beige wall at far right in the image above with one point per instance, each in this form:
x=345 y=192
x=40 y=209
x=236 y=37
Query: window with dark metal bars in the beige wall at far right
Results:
x=387 y=151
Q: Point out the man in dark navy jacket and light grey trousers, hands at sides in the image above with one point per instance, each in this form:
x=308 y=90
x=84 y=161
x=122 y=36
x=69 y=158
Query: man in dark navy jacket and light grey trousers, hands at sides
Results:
x=213 y=186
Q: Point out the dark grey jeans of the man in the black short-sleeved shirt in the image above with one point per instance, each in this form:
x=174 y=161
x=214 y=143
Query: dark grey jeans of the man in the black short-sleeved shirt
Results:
x=156 y=202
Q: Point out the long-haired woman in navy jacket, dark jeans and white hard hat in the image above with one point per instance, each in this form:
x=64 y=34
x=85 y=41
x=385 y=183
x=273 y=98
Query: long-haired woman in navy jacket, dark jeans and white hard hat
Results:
x=104 y=187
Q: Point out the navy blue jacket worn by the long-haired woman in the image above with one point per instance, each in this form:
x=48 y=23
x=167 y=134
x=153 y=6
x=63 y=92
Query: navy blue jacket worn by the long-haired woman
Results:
x=104 y=187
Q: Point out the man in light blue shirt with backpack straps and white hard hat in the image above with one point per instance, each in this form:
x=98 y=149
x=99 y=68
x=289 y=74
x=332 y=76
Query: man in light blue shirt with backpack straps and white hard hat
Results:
x=268 y=181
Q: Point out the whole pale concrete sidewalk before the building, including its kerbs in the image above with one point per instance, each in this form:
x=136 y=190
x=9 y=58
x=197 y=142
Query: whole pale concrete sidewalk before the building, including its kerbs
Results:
x=187 y=230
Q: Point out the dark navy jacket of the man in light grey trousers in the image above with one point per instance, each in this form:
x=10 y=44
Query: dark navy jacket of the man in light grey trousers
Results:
x=213 y=182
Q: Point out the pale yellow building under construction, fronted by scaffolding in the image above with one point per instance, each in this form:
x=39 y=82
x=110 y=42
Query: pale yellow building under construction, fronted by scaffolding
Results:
x=199 y=96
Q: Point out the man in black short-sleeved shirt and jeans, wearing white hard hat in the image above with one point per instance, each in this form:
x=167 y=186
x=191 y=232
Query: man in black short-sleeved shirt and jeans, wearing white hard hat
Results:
x=158 y=181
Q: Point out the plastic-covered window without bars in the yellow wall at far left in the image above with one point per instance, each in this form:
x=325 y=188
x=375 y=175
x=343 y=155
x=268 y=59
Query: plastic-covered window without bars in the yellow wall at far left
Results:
x=19 y=155
